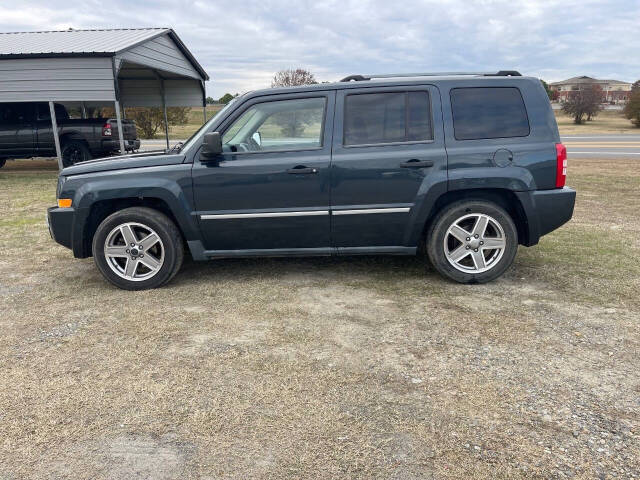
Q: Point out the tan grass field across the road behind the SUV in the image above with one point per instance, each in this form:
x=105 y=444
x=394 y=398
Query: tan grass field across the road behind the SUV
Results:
x=607 y=122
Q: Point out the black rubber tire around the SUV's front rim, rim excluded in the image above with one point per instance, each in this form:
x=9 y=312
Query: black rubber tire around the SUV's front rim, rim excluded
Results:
x=154 y=221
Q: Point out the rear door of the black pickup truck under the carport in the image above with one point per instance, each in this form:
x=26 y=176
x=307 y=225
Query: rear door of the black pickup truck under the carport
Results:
x=16 y=129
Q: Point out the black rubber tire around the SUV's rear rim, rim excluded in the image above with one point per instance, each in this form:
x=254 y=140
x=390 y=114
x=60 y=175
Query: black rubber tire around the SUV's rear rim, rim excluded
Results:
x=437 y=232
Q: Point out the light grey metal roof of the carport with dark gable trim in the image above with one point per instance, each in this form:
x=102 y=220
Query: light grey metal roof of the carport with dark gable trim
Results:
x=78 y=43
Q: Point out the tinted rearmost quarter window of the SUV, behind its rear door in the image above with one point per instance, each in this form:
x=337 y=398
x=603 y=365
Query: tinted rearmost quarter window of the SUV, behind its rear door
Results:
x=486 y=112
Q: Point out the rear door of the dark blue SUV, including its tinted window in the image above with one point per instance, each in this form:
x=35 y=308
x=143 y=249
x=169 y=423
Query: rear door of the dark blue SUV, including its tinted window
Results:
x=387 y=142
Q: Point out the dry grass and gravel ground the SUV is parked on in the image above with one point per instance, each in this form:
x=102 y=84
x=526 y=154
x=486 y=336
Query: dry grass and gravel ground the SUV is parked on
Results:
x=325 y=368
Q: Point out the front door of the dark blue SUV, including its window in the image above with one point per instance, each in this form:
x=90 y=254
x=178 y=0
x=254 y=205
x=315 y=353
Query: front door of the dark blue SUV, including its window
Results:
x=269 y=191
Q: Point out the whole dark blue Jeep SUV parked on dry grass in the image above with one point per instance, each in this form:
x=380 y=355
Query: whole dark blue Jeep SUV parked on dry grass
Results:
x=461 y=167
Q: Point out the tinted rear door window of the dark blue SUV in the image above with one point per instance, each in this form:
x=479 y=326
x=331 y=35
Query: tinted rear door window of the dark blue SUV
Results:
x=378 y=118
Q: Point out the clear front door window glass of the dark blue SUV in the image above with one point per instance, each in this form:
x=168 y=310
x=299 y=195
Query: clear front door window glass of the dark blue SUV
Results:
x=276 y=126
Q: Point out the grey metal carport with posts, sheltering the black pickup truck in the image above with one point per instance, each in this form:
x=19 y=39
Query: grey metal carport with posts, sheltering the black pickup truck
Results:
x=137 y=67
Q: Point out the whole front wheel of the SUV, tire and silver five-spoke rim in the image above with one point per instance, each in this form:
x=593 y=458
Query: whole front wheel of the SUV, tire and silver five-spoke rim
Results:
x=138 y=248
